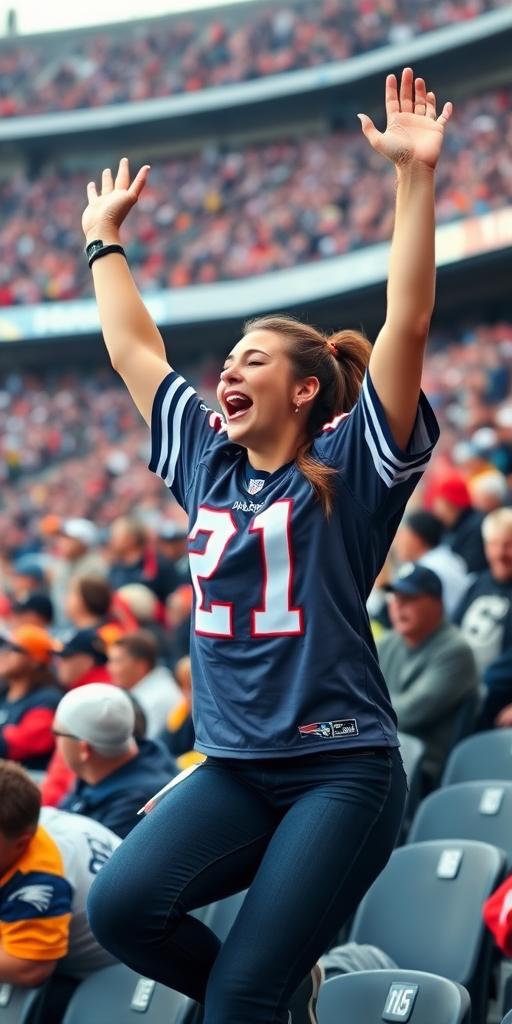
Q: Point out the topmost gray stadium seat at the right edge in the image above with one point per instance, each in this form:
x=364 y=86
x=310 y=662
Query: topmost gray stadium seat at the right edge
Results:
x=485 y=756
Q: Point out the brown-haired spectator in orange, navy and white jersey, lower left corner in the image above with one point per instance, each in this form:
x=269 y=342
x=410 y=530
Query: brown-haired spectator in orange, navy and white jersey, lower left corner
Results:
x=49 y=861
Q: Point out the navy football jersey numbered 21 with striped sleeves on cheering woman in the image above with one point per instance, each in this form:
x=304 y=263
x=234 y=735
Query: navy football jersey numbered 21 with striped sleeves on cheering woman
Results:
x=284 y=661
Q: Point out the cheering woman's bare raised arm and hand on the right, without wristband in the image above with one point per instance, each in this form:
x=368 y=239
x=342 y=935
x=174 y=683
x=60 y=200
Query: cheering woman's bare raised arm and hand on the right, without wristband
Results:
x=413 y=142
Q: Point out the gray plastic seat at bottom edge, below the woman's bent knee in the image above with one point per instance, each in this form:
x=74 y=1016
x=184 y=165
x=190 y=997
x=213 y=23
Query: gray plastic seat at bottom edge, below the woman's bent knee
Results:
x=118 y=996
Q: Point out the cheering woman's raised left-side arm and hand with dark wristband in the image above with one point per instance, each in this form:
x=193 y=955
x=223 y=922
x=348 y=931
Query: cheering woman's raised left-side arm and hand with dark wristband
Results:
x=133 y=339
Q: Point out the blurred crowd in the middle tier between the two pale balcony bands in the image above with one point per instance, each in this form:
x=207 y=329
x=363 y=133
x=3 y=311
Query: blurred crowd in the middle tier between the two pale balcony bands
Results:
x=224 y=216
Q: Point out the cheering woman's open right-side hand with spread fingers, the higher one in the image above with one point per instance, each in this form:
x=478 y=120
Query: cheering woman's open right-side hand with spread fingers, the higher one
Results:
x=414 y=134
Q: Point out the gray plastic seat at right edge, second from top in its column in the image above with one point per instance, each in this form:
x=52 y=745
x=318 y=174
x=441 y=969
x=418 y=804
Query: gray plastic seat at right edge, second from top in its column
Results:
x=470 y=810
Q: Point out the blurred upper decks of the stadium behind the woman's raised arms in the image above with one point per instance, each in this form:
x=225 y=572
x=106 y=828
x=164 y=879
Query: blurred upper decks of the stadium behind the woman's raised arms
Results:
x=273 y=196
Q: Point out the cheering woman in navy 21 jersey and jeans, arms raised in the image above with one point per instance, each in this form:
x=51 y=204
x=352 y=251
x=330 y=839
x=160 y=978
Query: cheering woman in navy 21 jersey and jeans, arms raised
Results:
x=294 y=497
